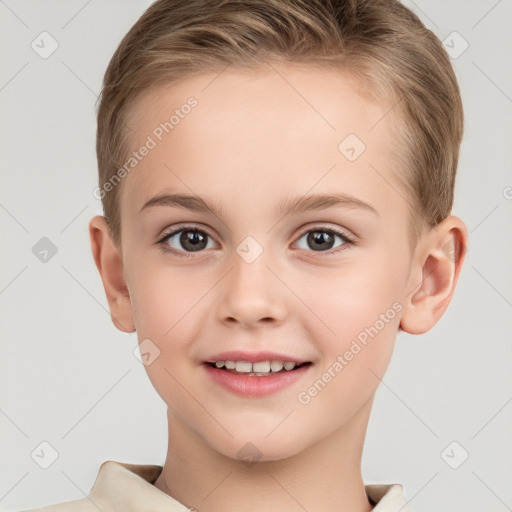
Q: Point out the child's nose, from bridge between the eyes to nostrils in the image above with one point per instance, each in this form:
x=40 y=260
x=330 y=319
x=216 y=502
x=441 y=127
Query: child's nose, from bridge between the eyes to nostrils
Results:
x=251 y=292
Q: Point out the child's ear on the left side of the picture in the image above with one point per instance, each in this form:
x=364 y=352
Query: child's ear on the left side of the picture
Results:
x=109 y=262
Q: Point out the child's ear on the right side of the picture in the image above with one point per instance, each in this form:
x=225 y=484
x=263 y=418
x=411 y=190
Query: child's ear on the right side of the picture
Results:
x=434 y=275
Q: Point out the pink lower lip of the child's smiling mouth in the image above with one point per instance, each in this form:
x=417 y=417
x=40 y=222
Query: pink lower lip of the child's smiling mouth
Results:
x=254 y=386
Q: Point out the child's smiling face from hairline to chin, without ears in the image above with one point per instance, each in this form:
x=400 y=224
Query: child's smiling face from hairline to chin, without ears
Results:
x=254 y=141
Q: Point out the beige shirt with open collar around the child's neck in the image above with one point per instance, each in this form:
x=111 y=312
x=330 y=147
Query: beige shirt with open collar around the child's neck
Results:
x=122 y=487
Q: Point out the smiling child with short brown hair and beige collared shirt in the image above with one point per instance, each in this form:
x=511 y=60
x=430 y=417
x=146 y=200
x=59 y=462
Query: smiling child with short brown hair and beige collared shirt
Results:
x=312 y=147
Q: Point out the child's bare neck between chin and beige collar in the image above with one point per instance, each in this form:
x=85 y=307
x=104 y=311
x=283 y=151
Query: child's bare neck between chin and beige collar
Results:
x=324 y=477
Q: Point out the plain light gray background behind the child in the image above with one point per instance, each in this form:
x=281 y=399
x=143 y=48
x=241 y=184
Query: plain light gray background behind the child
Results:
x=69 y=378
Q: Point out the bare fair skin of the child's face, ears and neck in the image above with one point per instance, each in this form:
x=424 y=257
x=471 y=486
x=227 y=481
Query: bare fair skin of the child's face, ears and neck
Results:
x=252 y=141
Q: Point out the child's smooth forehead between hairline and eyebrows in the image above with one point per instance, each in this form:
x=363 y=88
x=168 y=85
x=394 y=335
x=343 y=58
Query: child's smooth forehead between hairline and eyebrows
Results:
x=280 y=127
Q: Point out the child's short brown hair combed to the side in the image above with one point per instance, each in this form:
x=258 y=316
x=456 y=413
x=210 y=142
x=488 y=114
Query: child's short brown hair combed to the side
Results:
x=381 y=42
